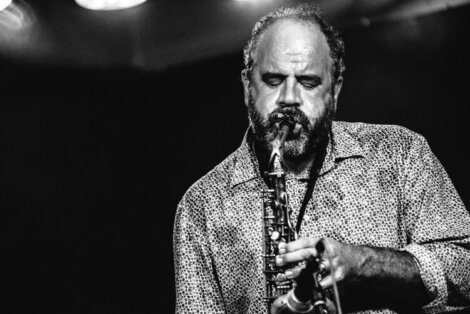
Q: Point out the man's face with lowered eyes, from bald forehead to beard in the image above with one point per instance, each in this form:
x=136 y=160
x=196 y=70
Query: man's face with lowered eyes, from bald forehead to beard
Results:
x=292 y=75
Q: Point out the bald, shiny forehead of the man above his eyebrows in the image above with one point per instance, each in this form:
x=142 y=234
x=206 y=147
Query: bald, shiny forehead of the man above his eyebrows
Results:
x=293 y=43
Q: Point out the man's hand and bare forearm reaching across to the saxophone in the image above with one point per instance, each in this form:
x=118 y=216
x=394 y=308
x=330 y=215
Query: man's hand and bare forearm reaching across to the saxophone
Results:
x=368 y=277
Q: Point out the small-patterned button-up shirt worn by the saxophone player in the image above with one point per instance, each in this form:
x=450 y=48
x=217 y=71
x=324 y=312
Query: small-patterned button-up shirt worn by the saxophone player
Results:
x=379 y=186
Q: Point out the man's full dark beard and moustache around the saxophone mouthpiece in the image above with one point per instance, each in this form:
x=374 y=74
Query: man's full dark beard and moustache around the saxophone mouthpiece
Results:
x=302 y=141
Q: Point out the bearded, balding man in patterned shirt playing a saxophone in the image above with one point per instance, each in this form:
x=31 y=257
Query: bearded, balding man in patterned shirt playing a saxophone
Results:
x=395 y=229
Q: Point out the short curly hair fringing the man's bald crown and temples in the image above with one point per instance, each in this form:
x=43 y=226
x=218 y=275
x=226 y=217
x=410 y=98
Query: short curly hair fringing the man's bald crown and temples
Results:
x=303 y=12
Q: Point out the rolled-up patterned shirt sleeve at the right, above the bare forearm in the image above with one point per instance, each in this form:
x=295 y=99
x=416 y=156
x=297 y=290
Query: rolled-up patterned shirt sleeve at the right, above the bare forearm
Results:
x=438 y=230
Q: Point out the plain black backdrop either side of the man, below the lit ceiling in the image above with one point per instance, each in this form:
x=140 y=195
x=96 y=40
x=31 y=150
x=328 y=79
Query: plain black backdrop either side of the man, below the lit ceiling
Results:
x=93 y=160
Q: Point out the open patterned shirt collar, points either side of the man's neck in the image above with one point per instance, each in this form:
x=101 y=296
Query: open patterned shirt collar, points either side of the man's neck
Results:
x=343 y=145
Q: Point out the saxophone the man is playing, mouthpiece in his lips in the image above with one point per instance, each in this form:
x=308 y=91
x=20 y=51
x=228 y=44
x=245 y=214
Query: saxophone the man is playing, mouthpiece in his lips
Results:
x=305 y=295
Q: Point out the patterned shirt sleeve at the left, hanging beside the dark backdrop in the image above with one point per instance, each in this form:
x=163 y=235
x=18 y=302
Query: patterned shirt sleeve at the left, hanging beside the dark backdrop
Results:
x=197 y=289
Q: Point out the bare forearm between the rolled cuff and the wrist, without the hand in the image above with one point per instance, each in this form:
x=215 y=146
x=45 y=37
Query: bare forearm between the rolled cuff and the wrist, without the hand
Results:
x=383 y=278
